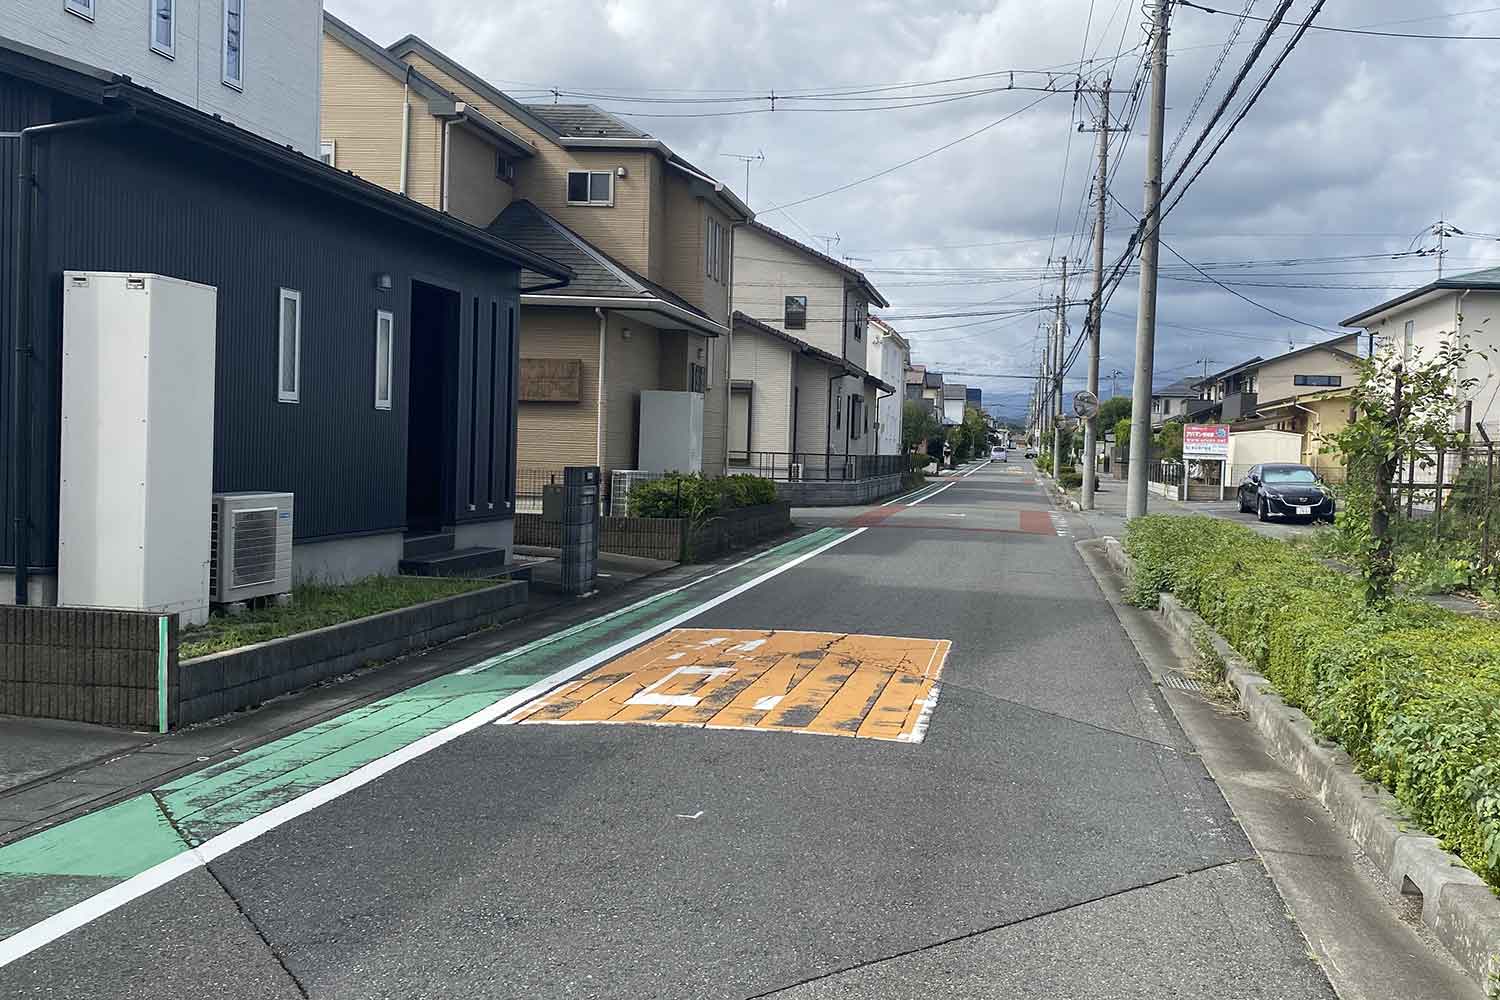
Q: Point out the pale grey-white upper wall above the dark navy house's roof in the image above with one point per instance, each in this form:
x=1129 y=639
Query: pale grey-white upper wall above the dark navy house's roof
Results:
x=281 y=56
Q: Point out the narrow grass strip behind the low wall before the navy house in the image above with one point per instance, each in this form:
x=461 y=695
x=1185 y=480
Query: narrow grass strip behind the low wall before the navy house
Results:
x=316 y=606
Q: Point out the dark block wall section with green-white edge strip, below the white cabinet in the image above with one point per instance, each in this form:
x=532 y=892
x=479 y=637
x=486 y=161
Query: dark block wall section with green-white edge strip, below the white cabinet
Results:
x=85 y=665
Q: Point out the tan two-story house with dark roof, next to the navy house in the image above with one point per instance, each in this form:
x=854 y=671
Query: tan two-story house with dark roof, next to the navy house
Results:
x=628 y=365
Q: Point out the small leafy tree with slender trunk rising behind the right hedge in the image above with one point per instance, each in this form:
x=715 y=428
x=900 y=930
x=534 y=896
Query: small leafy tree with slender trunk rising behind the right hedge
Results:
x=1403 y=412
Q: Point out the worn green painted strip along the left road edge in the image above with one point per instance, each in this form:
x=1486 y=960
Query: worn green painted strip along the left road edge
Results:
x=50 y=872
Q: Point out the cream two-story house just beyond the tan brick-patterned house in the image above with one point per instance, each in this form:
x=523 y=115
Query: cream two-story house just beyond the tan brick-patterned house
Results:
x=800 y=371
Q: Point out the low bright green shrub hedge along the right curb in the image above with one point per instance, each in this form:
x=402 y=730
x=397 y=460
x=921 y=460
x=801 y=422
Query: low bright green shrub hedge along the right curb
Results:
x=1411 y=692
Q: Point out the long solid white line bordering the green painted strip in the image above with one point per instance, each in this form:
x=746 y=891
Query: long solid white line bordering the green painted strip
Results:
x=47 y=932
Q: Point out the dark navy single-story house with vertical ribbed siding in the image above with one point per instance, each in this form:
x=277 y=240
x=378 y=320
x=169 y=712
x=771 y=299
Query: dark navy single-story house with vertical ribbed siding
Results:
x=155 y=187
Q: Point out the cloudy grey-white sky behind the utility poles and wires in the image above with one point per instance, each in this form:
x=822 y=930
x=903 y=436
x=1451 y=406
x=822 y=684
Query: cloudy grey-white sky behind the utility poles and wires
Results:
x=1358 y=146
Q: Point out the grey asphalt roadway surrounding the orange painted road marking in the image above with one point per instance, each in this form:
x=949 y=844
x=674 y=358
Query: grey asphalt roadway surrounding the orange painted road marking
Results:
x=1051 y=837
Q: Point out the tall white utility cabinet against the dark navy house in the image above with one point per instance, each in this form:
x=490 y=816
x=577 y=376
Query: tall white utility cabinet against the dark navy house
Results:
x=137 y=446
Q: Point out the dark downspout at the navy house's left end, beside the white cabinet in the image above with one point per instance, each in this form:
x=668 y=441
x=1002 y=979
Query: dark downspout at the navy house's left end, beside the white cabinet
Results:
x=22 y=332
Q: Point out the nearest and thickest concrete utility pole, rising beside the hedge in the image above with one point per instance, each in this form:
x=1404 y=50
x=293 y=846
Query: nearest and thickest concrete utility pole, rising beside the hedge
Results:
x=1151 y=250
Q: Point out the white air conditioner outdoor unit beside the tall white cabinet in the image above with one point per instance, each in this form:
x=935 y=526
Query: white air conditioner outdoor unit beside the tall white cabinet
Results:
x=251 y=546
